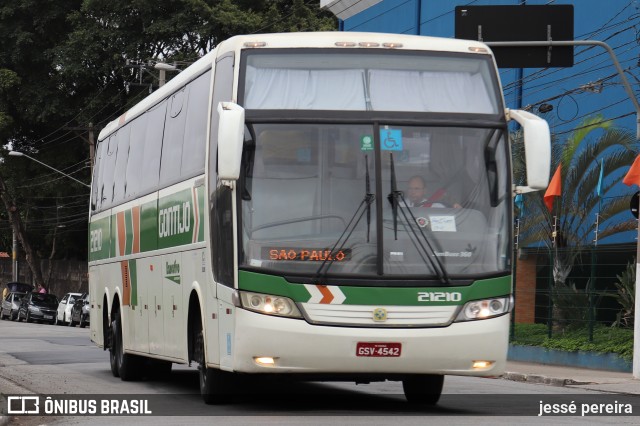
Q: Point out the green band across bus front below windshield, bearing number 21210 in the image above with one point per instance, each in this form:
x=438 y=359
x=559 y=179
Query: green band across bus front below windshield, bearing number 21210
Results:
x=357 y=295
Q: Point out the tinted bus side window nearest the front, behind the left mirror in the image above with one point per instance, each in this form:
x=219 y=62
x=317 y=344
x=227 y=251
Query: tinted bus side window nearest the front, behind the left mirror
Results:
x=193 y=153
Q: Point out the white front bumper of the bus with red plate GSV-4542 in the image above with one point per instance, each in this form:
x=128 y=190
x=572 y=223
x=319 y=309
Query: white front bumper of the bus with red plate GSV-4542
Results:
x=302 y=348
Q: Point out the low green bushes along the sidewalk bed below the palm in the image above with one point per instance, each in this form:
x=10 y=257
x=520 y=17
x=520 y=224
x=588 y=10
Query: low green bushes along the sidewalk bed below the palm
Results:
x=605 y=339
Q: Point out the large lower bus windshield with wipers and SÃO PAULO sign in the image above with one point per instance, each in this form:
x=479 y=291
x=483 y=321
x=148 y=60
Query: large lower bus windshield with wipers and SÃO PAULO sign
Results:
x=375 y=199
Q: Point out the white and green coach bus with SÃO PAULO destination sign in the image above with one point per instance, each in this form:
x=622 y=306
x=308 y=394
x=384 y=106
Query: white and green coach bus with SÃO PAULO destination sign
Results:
x=252 y=216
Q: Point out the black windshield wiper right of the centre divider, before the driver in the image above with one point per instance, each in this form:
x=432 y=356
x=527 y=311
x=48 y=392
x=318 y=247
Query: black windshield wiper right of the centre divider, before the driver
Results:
x=396 y=198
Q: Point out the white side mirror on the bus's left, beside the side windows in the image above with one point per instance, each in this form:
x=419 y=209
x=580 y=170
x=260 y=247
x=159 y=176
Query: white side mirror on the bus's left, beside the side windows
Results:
x=230 y=138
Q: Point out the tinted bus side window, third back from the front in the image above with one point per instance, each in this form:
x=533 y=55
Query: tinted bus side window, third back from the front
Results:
x=153 y=147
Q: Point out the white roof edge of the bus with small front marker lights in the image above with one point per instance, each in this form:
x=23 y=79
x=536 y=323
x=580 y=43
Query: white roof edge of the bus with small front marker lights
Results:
x=335 y=39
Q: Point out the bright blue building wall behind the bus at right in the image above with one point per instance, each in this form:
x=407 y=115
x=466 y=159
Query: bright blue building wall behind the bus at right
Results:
x=563 y=96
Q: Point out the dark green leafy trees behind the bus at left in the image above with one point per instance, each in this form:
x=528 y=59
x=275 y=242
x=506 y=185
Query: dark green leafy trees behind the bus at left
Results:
x=63 y=65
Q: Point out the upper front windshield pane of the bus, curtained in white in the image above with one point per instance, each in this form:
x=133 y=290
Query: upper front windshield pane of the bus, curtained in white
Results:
x=361 y=80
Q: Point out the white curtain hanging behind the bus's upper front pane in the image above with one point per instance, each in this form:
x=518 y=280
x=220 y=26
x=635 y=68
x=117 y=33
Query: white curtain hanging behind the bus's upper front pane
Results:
x=389 y=90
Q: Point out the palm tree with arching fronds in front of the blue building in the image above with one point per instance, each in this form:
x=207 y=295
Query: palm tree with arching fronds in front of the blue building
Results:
x=593 y=144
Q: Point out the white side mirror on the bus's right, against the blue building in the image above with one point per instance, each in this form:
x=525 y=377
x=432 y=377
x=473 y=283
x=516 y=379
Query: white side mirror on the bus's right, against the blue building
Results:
x=537 y=149
